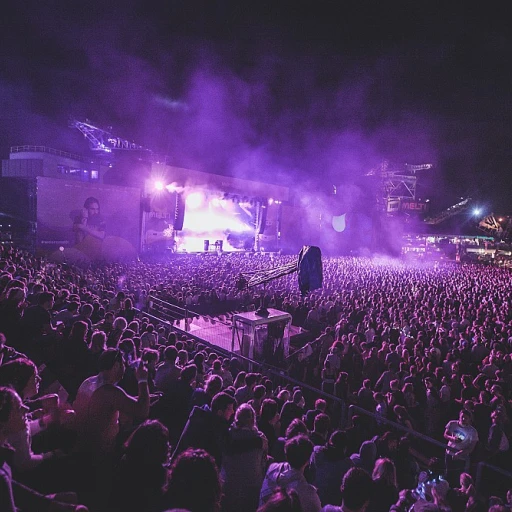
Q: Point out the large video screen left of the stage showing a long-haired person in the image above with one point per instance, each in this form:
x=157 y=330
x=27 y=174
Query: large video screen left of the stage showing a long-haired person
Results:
x=87 y=222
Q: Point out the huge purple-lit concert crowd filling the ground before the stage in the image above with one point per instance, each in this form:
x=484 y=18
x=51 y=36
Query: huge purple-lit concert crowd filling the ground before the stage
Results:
x=104 y=408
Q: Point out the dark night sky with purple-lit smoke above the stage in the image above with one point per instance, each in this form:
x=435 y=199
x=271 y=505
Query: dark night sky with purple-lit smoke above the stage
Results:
x=296 y=93
